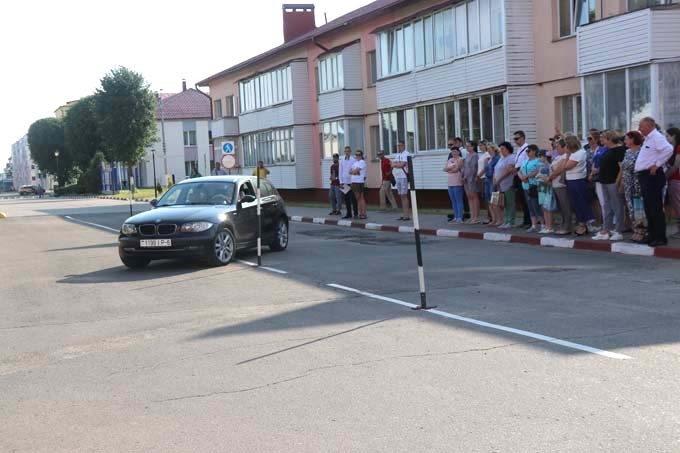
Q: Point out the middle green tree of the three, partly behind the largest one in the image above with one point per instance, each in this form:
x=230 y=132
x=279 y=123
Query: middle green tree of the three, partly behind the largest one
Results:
x=81 y=132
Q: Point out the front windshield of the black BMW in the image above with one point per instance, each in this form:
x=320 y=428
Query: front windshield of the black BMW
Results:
x=199 y=193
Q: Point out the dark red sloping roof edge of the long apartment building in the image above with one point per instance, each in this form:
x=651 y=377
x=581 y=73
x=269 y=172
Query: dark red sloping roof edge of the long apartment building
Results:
x=352 y=18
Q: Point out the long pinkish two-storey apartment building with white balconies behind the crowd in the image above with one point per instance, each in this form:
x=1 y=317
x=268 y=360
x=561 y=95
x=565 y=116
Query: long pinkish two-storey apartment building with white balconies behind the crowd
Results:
x=425 y=71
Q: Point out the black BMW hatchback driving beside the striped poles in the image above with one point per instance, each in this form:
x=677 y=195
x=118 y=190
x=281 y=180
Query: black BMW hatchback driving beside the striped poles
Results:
x=211 y=218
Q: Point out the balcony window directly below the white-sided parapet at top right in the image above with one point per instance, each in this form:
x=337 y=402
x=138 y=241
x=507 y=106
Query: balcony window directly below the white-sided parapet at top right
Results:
x=609 y=105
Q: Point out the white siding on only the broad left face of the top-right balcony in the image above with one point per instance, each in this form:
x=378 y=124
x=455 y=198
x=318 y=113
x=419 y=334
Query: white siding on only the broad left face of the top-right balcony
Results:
x=619 y=41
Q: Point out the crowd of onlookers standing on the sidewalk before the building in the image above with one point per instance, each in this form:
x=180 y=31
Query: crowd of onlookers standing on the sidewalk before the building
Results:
x=616 y=183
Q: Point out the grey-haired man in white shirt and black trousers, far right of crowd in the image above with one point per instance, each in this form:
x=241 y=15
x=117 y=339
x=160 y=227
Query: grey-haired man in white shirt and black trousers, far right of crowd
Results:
x=654 y=154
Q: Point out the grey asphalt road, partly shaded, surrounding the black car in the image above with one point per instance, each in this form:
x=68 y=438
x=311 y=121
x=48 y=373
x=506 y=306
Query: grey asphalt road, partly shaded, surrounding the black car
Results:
x=180 y=357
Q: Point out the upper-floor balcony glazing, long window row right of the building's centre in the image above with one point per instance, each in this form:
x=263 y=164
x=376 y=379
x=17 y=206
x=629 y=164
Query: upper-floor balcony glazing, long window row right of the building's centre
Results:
x=469 y=27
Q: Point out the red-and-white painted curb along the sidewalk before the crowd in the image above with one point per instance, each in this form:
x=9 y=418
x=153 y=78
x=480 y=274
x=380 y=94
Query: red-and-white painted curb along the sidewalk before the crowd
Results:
x=622 y=248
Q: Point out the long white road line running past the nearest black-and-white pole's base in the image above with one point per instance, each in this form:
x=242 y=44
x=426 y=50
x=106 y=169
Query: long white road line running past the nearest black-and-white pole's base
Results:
x=524 y=333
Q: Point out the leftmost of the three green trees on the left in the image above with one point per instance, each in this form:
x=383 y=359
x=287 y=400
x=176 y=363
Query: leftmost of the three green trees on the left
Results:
x=46 y=136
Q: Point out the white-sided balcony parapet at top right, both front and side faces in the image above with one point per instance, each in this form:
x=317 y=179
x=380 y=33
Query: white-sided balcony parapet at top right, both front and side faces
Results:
x=629 y=39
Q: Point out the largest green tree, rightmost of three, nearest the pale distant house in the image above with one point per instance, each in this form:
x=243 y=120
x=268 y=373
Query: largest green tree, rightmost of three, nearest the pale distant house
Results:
x=124 y=108
